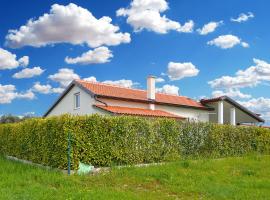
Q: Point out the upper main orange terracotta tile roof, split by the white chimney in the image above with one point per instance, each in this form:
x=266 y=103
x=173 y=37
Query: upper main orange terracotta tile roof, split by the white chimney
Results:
x=112 y=91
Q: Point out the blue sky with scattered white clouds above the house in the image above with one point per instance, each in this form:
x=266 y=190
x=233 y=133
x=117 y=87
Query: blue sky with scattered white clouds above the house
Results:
x=199 y=49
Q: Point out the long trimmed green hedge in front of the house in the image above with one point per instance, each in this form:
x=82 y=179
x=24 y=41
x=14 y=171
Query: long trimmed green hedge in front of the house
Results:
x=106 y=141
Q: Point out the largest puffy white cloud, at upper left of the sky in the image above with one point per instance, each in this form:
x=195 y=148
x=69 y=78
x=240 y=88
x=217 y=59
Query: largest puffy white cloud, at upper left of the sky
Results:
x=67 y=24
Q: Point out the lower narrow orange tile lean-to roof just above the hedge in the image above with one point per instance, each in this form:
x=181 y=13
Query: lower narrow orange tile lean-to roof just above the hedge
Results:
x=138 y=111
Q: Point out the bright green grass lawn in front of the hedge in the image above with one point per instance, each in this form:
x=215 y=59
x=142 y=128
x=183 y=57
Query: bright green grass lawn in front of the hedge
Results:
x=228 y=178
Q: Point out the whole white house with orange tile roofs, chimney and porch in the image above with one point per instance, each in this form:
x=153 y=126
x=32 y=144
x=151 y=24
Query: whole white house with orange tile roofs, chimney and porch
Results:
x=83 y=98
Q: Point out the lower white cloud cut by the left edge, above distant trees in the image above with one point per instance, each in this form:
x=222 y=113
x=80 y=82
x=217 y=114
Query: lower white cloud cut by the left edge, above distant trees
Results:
x=8 y=93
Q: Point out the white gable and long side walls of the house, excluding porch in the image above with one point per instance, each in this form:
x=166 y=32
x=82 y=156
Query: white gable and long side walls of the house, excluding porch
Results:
x=67 y=106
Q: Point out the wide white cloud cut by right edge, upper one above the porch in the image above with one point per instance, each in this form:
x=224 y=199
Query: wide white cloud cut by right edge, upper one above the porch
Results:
x=249 y=77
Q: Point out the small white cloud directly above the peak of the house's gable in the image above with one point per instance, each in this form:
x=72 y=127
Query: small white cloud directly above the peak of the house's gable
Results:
x=64 y=76
